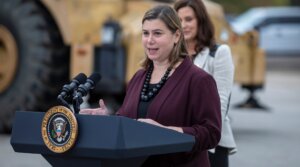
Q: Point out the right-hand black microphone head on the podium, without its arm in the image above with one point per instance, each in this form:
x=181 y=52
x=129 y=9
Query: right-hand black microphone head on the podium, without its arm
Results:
x=84 y=89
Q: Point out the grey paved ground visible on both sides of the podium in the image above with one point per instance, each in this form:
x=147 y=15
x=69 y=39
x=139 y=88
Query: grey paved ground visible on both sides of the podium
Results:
x=264 y=138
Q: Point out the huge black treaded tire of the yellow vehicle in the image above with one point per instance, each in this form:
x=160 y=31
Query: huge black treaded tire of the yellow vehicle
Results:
x=42 y=66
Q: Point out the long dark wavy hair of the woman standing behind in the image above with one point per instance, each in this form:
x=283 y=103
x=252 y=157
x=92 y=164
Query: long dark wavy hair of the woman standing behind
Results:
x=205 y=34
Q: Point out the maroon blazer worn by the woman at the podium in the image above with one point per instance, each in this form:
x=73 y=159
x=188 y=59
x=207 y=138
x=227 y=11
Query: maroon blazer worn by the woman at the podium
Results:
x=189 y=99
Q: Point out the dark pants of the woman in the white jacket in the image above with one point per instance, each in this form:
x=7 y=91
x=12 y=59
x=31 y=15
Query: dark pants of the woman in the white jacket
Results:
x=219 y=158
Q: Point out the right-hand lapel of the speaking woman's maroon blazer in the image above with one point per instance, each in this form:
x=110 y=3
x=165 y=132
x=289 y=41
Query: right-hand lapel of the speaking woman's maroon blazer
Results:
x=168 y=88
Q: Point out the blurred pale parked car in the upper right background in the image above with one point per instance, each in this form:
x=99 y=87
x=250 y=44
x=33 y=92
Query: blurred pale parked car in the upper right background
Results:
x=279 y=28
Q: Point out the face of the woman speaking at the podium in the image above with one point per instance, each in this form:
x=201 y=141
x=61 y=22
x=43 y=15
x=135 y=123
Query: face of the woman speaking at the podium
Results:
x=158 y=40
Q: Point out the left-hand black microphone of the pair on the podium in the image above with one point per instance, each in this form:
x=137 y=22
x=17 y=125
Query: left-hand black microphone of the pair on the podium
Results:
x=68 y=89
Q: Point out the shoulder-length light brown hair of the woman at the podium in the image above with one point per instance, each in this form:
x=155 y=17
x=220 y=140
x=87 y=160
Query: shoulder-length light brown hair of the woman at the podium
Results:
x=170 y=18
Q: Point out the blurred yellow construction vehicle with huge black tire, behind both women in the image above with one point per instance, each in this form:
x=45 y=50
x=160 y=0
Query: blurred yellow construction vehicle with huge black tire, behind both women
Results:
x=44 y=43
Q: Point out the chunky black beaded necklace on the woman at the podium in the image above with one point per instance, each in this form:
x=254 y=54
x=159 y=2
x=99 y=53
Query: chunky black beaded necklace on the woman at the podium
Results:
x=147 y=94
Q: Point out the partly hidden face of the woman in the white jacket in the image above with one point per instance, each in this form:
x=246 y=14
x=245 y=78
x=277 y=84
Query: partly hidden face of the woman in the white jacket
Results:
x=189 y=23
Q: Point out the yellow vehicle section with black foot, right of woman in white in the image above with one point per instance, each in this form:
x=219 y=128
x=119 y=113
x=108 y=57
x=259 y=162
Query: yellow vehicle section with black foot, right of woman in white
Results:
x=249 y=58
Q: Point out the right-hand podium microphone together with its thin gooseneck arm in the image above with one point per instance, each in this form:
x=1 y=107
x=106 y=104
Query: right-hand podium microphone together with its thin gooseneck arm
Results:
x=83 y=90
